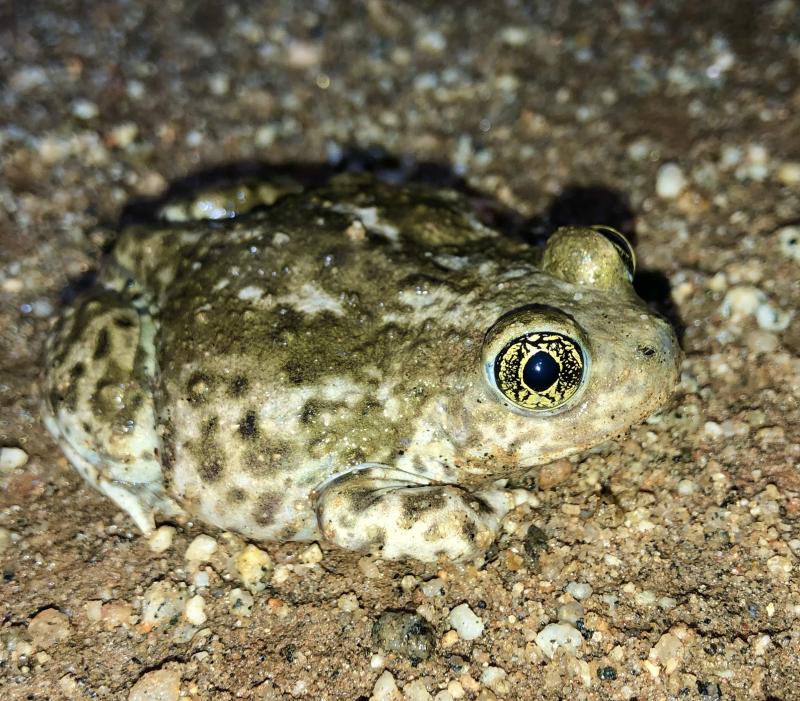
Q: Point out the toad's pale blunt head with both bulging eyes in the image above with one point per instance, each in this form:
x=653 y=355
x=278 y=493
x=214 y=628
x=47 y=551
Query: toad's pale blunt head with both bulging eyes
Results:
x=581 y=363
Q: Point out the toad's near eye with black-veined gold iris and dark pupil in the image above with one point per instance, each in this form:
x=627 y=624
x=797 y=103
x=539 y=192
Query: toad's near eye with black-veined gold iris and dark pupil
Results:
x=540 y=370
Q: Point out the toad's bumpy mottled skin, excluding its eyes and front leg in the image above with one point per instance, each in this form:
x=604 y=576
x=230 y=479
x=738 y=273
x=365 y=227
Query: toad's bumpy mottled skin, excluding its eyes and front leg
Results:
x=339 y=328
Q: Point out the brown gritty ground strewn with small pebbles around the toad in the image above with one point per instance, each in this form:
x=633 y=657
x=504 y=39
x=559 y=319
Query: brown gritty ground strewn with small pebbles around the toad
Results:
x=670 y=558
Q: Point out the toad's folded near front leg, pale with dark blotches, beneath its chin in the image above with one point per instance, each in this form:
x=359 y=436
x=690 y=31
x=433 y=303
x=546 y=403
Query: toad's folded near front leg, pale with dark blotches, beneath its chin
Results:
x=403 y=515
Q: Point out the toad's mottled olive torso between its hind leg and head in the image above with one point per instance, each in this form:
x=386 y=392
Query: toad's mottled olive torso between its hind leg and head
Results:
x=287 y=345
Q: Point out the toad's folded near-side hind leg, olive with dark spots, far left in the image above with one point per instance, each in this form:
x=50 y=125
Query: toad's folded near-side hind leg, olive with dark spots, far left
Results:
x=99 y=403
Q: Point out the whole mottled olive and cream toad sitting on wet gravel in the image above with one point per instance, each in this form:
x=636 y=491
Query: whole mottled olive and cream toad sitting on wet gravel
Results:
x=361 y=363
